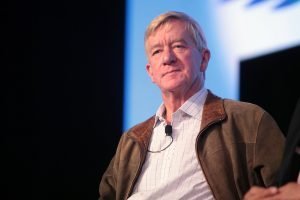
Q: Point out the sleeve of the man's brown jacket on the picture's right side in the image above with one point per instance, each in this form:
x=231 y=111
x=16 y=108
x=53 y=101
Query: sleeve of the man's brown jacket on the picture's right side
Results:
x=269 y=150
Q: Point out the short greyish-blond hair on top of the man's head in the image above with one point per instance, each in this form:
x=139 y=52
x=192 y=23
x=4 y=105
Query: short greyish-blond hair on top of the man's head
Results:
x=192 y=27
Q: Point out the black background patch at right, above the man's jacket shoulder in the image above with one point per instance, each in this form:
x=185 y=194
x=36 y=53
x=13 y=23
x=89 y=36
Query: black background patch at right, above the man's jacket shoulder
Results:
x=272 y=81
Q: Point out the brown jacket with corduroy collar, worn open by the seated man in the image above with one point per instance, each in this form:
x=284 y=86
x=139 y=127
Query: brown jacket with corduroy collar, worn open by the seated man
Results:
x=239 y=145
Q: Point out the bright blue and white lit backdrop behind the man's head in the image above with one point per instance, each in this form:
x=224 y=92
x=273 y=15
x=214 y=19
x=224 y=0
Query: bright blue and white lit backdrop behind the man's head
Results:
x=234 y=31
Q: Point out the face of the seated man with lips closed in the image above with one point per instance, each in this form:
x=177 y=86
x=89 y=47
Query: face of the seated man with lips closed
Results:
x=174 y=61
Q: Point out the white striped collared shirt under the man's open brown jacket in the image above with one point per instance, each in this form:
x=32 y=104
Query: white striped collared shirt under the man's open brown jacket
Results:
x=175 y=173
